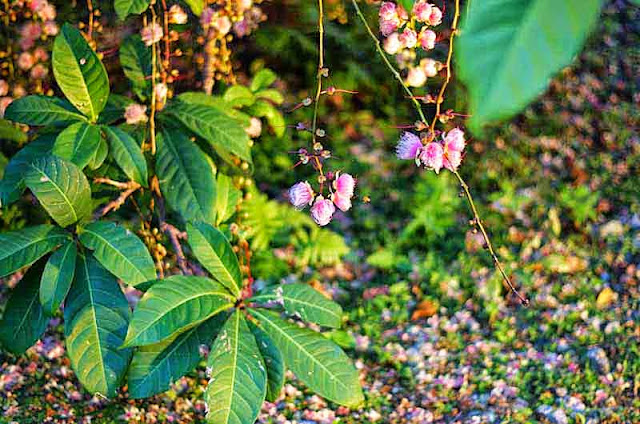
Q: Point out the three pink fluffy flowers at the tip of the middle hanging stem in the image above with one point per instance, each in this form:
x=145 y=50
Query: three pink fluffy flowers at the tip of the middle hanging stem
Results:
x=301 y=195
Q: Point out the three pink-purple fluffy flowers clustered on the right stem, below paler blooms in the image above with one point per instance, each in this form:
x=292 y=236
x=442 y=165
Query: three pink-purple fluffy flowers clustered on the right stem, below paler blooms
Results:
x=435 y=155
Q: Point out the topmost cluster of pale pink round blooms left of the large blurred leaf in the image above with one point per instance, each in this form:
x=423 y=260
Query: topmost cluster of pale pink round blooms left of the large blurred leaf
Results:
x=404 y=33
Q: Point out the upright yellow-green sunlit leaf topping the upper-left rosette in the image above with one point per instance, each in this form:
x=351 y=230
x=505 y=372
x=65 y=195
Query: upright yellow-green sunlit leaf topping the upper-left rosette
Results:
x=79 y=73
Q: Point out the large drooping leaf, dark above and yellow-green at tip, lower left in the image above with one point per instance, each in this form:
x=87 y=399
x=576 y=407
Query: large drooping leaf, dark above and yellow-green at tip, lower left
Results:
x=96 y=316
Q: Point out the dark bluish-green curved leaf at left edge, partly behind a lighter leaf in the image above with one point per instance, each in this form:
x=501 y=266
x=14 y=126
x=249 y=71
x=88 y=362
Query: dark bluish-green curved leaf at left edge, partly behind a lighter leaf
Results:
x=12 y=184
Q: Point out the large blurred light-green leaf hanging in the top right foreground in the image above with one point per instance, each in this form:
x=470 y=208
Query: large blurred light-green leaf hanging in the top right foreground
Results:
x=509 y=50
